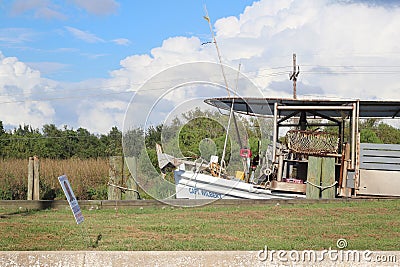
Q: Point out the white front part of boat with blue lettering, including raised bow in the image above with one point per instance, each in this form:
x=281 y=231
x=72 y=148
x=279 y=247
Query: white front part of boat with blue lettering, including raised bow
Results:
x=196 y=181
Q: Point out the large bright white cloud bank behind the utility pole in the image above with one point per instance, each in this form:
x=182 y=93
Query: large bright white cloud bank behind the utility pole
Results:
x=349 y=39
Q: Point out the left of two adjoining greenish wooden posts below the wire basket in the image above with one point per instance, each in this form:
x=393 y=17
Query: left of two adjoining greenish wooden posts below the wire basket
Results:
x=313 y=177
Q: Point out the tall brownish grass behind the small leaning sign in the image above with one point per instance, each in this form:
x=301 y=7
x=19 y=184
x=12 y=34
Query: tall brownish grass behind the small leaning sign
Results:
x=88 y=178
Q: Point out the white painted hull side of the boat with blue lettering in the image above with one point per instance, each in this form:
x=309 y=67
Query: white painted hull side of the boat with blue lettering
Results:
x=191 y=185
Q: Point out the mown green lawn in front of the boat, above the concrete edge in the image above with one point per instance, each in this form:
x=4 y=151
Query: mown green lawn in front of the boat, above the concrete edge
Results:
x=373 y=225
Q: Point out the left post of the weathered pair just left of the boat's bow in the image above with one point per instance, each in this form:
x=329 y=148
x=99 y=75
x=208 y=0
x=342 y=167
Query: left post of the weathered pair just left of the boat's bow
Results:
x=115 y=174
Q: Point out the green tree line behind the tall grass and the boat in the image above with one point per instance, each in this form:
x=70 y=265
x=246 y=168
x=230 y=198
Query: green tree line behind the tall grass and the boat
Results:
x=64 y=143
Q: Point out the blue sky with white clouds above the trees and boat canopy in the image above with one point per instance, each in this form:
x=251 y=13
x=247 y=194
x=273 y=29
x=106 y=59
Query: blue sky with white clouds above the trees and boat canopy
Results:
x=79 y=62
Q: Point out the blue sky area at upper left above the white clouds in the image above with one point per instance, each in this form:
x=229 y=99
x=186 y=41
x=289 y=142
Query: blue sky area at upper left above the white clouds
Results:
x=72 y=43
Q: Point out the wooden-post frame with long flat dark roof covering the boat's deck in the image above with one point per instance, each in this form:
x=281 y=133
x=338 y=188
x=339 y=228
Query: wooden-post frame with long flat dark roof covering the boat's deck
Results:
x=344 y=114
